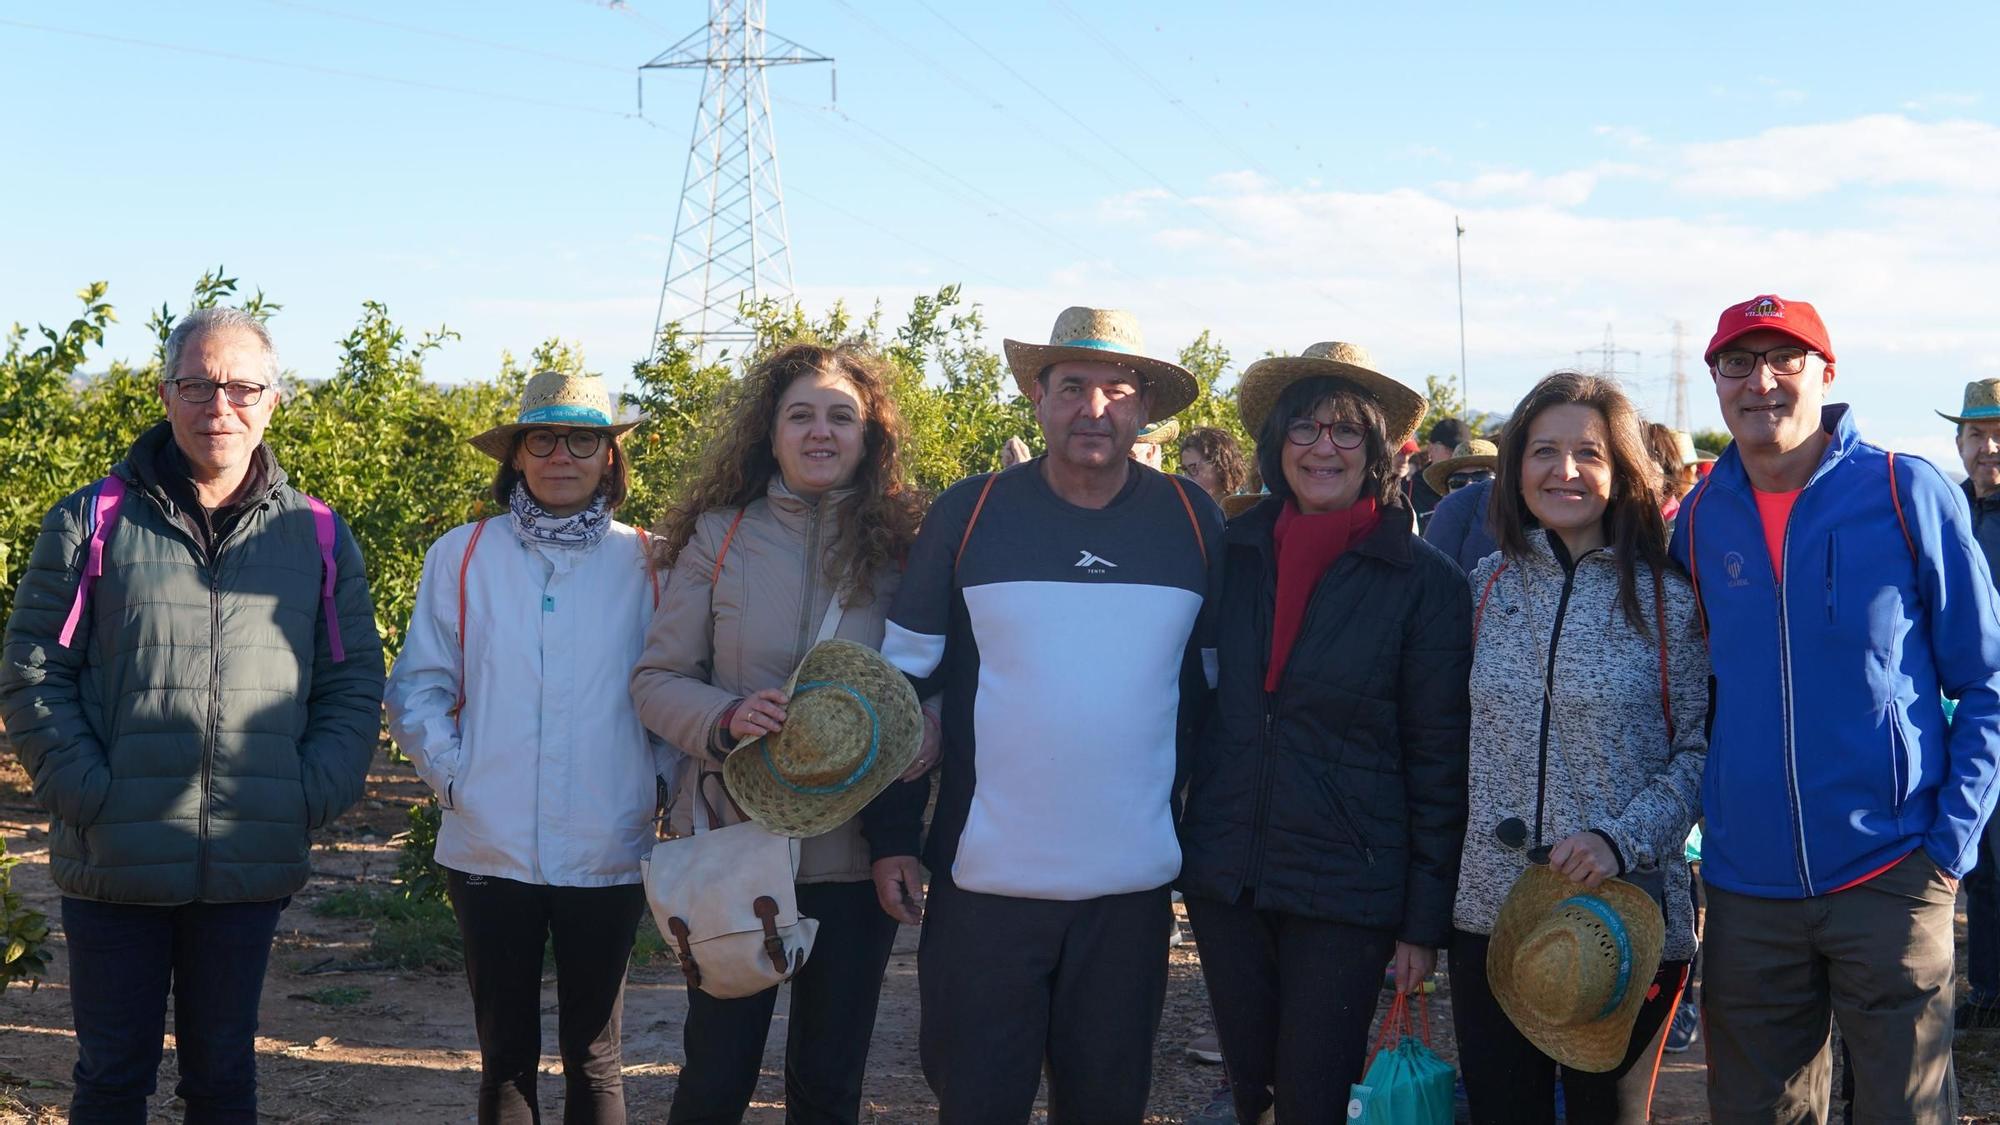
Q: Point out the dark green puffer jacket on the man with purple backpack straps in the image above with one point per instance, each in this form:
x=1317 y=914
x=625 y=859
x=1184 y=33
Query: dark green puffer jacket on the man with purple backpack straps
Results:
x=201 y=728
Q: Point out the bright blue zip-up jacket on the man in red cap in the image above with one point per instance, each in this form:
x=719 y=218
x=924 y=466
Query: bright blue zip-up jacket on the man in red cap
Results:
x=1831 y=756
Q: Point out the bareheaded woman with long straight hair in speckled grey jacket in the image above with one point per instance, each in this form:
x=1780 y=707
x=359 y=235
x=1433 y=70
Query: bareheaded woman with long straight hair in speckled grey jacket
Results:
x=1585 y=726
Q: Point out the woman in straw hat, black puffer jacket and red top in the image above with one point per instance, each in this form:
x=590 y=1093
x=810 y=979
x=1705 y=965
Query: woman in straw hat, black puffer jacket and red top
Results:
x=1327 y=800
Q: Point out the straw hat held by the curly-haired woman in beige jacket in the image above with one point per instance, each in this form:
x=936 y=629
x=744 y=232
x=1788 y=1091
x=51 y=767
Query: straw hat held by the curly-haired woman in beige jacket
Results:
x=851 y=728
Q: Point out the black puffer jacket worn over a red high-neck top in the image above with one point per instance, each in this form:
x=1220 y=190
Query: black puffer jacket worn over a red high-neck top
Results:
x=1341 y=796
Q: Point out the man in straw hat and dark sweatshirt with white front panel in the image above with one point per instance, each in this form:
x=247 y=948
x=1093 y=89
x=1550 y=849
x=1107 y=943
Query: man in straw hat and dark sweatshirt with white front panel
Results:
x=1061 y=606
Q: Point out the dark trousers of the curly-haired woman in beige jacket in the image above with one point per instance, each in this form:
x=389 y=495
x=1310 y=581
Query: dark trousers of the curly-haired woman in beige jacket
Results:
x=829 y=1030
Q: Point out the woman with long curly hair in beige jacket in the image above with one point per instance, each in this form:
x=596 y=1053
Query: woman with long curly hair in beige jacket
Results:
x=797 y=523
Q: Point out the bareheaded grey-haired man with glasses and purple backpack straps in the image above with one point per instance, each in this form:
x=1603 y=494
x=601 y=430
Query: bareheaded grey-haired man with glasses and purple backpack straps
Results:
x=193 y=680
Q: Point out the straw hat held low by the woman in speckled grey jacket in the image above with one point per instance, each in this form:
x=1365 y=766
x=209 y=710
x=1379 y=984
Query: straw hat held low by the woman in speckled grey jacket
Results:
x=1571 y=968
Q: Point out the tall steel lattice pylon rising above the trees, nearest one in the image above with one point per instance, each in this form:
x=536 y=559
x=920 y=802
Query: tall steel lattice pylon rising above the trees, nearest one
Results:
x=731 y=241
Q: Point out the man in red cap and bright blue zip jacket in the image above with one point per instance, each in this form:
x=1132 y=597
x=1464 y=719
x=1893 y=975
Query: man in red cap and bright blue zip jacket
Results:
x=1843 y=594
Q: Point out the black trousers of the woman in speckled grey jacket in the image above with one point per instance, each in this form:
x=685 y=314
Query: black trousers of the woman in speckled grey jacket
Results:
x=1509 y=1082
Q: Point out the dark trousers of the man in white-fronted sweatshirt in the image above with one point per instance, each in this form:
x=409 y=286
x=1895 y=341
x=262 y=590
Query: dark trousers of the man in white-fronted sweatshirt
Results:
x=1011 y=986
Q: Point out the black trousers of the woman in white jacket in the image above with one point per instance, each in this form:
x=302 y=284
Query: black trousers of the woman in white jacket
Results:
x=505 y=928
